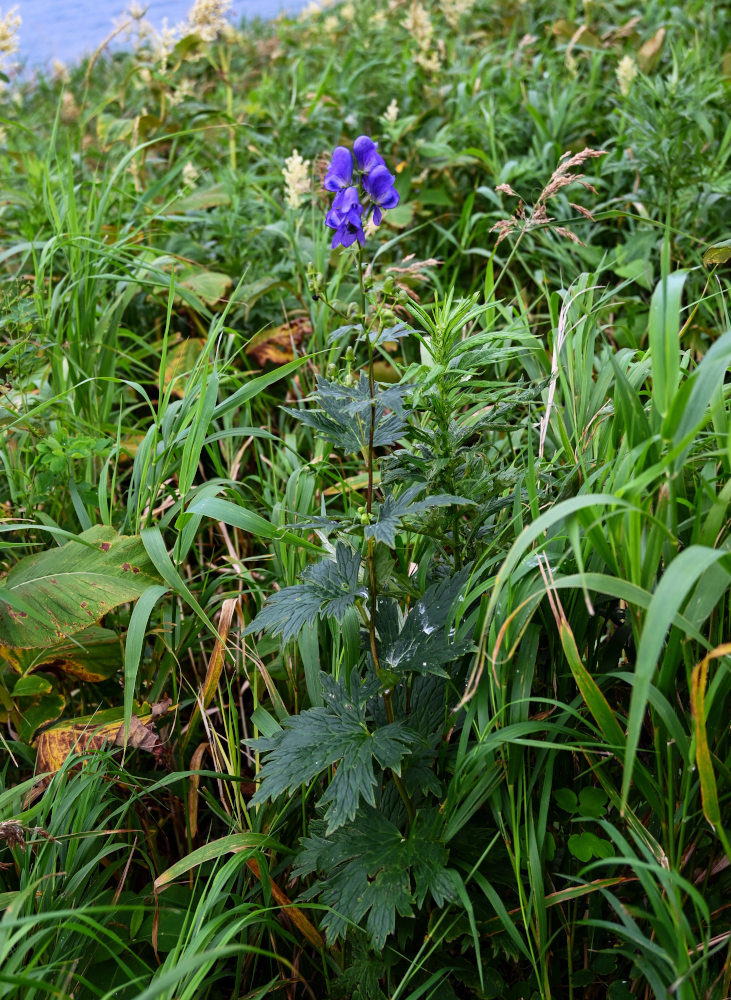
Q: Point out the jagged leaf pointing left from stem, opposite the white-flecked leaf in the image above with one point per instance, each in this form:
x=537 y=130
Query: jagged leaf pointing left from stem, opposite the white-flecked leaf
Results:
x=329 y=589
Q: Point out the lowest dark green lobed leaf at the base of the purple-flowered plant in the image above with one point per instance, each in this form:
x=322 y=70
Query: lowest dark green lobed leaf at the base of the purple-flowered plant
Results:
x=370 y=867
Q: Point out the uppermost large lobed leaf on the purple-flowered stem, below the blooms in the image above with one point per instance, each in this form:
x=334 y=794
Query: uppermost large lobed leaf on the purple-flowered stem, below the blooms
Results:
x=345 y=414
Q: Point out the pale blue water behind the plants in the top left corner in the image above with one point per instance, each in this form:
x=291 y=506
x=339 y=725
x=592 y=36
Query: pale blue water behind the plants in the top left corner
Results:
x=67 y=29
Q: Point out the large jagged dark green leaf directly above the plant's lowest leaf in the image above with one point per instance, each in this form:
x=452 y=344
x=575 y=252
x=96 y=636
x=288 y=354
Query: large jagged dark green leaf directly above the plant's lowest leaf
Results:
x=337 y=733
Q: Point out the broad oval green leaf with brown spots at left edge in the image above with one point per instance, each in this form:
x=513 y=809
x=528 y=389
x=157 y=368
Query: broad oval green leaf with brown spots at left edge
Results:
x=74 y=585
